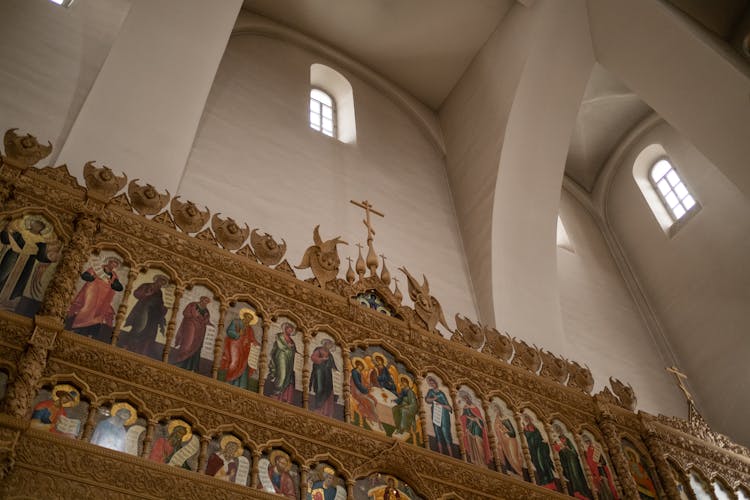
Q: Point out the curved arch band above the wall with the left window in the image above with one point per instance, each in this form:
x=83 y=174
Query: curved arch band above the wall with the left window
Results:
x=422 y=116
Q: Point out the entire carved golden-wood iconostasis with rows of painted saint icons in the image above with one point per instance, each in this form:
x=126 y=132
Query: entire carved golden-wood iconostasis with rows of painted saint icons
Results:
x=187 y=351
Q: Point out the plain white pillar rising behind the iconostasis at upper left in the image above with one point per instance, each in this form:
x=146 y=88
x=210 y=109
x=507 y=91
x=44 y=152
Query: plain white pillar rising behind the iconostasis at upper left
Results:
x=143 y=110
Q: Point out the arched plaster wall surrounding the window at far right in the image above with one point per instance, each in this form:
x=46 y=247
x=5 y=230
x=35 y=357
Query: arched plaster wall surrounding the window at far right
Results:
x=698 y=281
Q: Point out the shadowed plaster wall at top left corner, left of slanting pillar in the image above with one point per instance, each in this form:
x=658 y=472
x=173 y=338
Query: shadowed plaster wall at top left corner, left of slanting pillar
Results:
x=50 y=58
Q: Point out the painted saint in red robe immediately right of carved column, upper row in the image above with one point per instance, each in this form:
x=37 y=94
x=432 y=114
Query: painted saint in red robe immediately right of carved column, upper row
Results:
x=91 y=313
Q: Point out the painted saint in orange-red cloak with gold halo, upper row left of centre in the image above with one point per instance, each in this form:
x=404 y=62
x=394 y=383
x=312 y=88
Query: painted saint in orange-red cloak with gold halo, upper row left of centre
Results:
x=240 y=338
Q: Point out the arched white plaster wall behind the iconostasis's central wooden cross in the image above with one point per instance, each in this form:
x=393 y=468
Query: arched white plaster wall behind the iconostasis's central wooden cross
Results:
x=256 y=159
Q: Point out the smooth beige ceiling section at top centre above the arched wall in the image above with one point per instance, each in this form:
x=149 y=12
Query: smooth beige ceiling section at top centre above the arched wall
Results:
x=423 y=46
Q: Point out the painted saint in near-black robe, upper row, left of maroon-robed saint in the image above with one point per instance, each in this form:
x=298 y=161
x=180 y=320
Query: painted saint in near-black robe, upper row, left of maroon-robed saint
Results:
x=146 y=319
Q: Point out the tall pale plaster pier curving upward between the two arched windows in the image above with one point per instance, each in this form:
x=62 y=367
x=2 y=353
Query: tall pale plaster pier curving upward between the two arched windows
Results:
x=507 y=126
